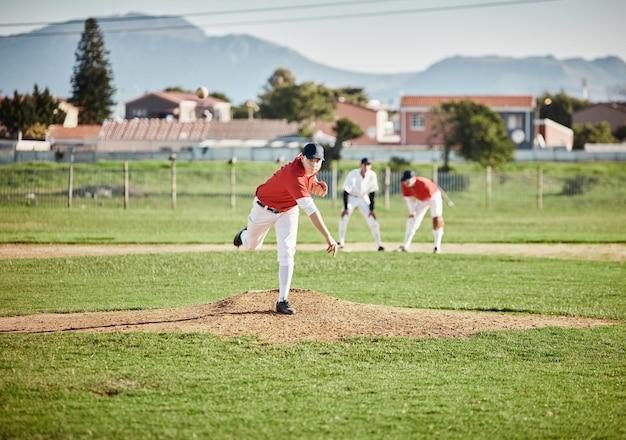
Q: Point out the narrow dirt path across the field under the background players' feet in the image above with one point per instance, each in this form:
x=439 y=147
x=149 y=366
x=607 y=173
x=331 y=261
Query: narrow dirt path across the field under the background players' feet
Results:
x=599 y=252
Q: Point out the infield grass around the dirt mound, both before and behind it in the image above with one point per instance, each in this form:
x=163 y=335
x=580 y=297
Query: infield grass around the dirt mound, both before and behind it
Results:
x=519 y=384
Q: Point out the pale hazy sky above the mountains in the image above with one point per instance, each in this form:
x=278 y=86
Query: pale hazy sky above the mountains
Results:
x=381 y=43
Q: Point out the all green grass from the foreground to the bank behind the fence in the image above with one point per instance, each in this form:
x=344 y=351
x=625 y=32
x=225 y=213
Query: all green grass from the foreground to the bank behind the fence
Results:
x=539 y=383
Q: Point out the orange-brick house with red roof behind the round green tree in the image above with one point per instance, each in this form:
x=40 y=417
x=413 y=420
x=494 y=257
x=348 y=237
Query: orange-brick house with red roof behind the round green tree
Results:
x=416 y=117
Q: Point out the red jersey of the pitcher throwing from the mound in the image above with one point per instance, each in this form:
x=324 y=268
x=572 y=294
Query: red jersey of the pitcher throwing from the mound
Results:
x=286 y=186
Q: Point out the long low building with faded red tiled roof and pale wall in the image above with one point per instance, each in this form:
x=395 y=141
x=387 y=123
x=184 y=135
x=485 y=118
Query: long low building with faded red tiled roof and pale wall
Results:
x=150 y=135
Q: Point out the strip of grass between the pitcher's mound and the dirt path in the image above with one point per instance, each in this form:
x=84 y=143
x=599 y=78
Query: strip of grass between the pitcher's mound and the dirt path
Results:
x=584 y=288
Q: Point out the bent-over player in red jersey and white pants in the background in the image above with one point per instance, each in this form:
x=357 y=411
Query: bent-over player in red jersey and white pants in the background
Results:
x=421 y=194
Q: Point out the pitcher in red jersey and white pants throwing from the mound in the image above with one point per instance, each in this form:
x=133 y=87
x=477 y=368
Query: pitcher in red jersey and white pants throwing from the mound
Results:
x=276 y=203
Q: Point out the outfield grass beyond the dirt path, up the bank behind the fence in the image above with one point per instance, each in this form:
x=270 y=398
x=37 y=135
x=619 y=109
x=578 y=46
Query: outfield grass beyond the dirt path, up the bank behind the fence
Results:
x=204 y=214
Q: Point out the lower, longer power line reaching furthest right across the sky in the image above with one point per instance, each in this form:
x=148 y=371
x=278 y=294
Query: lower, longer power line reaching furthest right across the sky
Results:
x=298 y=19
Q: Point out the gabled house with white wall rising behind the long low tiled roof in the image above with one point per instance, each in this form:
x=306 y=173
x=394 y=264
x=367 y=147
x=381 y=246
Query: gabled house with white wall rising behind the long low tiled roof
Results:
x=185 y=107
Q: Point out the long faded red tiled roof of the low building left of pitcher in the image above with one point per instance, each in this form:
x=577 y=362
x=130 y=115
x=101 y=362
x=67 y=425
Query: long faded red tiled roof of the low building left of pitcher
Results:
x=162 y=129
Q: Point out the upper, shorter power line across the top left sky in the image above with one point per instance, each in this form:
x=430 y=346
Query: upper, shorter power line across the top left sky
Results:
x=200 y=14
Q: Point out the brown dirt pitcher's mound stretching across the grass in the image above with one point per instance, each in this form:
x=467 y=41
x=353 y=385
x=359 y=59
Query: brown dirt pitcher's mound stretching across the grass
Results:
x=319 y=317
